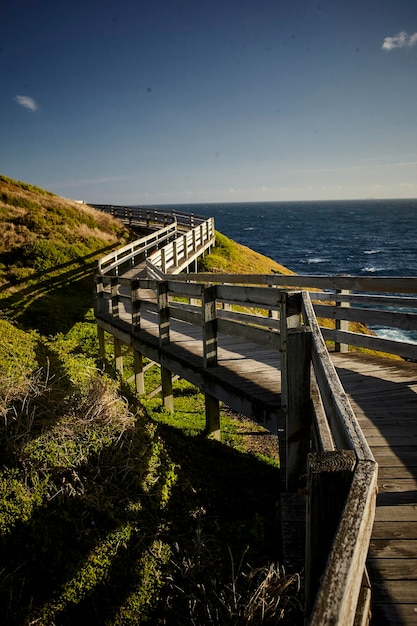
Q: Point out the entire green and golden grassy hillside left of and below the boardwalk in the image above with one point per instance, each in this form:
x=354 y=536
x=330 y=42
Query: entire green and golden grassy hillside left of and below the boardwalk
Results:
x=111 y=511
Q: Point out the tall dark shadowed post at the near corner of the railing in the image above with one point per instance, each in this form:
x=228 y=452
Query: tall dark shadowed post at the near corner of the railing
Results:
x=298 y=414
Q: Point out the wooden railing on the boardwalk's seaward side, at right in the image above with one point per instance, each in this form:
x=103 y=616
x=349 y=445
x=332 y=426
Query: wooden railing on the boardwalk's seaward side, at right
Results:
x=343 y=300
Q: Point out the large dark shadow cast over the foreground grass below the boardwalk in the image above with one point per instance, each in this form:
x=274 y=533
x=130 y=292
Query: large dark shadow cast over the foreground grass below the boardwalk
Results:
x=88 y=550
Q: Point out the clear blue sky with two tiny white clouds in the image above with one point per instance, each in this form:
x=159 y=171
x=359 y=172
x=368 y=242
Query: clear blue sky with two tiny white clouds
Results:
x=176 y=101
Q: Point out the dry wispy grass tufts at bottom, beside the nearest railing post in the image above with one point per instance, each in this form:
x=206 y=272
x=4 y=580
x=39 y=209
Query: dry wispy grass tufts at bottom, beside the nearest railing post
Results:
x=246 y=595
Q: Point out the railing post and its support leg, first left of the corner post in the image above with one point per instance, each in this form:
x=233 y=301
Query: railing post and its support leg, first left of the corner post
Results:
x=208 y=303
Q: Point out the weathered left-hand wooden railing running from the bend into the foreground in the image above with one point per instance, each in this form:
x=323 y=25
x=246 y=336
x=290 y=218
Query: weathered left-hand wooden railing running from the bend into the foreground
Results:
x=316 y=408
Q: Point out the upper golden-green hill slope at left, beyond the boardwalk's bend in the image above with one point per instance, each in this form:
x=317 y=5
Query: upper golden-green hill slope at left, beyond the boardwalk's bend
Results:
x=48 y=250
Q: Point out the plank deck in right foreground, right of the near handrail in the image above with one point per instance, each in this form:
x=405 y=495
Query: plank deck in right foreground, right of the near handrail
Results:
x=383 y=394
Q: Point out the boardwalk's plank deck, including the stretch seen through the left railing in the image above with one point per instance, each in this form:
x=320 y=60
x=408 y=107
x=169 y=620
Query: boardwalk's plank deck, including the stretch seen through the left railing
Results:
x=383 y=394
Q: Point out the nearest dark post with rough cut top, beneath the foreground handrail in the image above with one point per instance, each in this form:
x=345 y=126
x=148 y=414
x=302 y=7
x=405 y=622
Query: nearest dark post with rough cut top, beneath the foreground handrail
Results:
x=328 y=483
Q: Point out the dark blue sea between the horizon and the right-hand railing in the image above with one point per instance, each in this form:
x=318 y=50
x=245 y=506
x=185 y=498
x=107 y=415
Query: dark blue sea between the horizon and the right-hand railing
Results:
x=357 y=237
